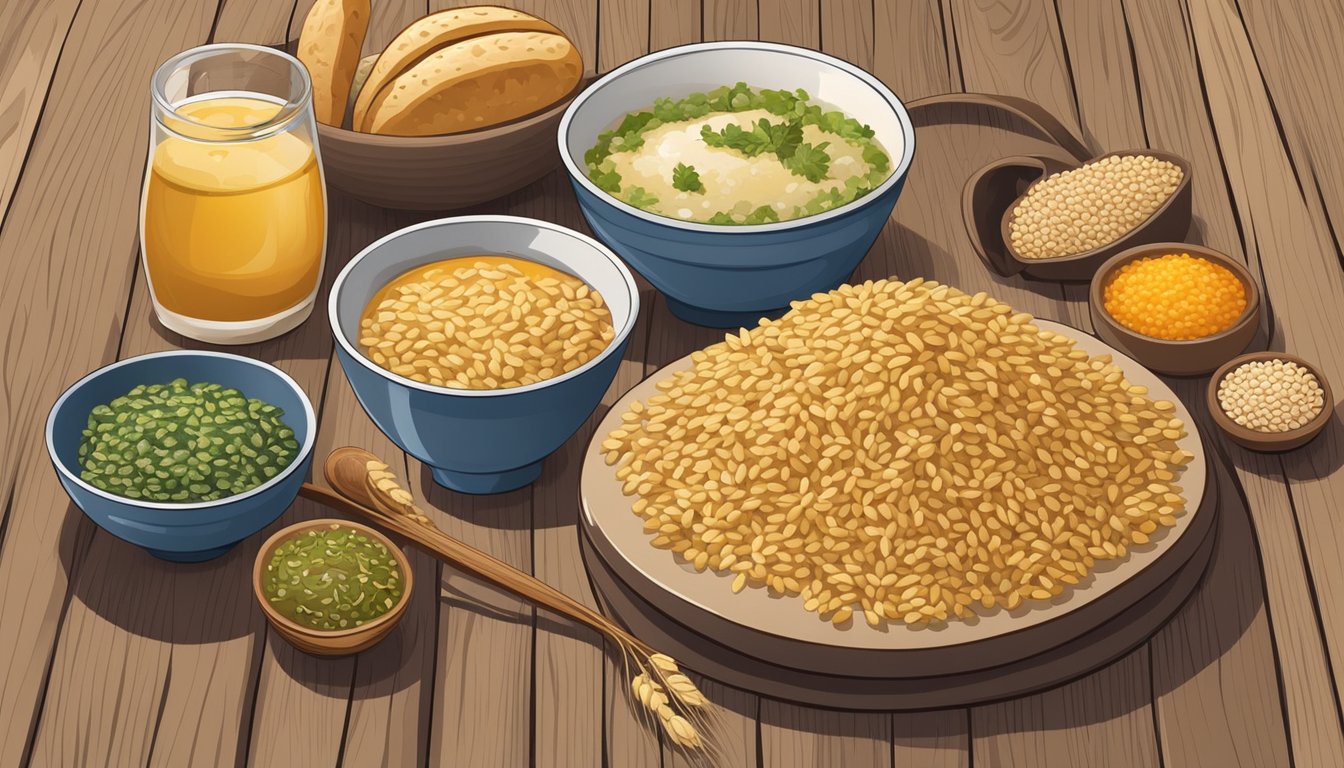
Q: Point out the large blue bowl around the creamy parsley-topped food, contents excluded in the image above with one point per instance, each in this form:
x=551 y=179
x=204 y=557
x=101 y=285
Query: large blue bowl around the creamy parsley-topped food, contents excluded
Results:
x=728 y=276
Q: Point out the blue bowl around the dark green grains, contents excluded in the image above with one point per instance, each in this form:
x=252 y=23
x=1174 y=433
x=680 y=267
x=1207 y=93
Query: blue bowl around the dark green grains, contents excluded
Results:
x=182 y=532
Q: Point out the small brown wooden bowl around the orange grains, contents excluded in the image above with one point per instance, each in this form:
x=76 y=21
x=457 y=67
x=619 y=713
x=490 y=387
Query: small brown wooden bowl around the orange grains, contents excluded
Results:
x=1185 y=358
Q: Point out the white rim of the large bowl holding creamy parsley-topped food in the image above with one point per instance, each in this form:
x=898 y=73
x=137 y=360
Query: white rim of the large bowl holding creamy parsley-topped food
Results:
x=908 y=151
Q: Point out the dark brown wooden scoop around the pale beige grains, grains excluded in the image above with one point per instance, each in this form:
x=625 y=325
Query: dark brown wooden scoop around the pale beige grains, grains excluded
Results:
x=990 y=219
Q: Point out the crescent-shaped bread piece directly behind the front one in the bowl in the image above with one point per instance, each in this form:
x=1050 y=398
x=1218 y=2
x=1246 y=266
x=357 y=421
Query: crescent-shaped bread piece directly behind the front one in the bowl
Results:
x=435 y=32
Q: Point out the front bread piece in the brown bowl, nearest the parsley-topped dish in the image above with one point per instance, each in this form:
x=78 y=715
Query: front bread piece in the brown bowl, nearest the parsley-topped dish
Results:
x=478 y=83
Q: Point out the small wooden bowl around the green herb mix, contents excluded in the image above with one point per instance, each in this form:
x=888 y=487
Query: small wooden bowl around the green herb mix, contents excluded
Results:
x=331 y=642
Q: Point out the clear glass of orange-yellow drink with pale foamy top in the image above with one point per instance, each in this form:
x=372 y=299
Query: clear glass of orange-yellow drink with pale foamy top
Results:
x=233 y=221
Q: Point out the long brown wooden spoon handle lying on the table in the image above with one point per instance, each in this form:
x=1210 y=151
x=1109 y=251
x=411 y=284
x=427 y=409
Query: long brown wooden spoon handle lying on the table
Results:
x=479 y=564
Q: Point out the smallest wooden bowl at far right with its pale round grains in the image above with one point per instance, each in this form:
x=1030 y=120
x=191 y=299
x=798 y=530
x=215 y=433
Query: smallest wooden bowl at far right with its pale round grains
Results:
x=1271 y=401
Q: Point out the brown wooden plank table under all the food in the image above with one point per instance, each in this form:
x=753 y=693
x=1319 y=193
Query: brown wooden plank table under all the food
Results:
x=110 y=657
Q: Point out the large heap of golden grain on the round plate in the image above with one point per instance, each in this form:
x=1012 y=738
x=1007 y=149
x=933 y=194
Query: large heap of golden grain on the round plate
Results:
x=904 y=451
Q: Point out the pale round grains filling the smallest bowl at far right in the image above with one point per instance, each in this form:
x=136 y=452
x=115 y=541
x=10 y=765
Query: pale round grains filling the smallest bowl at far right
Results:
x=1271 y=396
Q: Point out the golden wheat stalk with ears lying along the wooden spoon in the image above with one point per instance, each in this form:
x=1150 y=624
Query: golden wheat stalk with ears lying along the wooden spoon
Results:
x=661 y=687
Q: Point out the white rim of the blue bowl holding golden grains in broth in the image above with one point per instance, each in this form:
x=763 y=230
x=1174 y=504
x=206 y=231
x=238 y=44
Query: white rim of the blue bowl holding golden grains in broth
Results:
x=632 y=291
